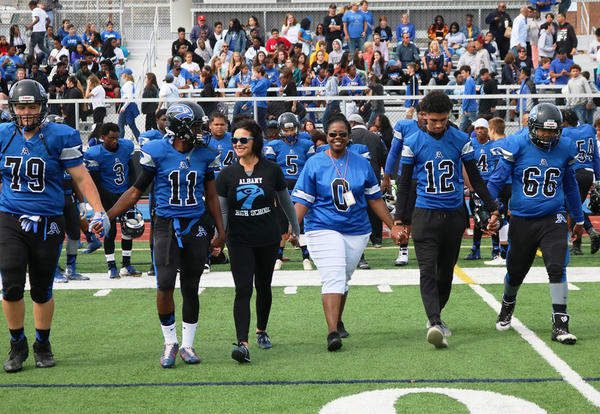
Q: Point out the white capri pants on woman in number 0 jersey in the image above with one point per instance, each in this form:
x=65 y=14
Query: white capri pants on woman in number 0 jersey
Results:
x=336 y=255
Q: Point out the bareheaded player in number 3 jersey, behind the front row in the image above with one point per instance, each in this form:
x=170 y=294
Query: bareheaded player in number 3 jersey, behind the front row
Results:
x=111 y=167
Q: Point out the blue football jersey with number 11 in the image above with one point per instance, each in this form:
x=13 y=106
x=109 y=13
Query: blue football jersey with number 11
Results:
x=179 y=177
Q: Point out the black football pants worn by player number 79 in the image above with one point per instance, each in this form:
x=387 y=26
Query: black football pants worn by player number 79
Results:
x=37 y=253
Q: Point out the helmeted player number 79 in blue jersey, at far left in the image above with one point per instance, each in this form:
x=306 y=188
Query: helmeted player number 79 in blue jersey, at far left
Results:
x=33 y=158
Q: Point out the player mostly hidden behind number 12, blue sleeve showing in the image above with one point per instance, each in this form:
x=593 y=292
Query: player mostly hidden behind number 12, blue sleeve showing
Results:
x=402 y=129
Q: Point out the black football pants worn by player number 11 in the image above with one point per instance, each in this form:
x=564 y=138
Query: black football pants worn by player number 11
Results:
x=169 y=257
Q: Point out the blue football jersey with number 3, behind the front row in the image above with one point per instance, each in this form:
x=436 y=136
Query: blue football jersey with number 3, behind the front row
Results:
x=113 y=166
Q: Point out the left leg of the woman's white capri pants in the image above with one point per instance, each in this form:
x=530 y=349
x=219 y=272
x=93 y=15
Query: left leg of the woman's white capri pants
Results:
x=326 y=248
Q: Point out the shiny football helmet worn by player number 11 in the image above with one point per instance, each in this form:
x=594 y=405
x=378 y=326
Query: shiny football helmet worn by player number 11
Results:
x=183 y=120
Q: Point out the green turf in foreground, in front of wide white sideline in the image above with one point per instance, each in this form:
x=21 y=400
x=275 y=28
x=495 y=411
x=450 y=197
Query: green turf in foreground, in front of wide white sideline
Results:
x=116 y=339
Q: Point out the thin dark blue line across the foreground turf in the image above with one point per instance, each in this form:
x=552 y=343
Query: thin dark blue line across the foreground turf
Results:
x=301 y=382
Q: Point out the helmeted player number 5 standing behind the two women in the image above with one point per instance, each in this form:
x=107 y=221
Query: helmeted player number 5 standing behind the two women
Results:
x=291 y=153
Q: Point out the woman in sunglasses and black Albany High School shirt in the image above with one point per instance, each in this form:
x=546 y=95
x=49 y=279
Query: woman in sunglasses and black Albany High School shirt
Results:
x=247 y=191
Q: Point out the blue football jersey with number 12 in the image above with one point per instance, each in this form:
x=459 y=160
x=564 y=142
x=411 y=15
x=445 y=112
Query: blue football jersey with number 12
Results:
x=438 y=163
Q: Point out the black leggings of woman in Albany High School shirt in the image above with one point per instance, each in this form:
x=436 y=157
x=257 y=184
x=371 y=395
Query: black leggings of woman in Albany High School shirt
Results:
x=252 y=264
